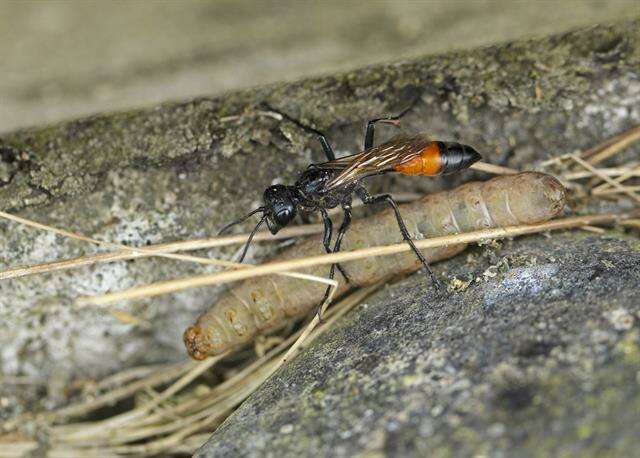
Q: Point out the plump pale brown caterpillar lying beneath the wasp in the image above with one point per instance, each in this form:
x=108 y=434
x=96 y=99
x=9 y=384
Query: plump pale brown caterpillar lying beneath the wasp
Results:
x=267 y=302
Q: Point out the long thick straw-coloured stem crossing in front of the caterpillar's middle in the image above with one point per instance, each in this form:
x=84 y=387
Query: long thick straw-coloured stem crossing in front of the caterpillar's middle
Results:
x=270 y=268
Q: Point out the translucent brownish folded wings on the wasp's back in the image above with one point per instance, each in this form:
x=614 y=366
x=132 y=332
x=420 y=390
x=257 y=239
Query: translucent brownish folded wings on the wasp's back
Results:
x=374 y=161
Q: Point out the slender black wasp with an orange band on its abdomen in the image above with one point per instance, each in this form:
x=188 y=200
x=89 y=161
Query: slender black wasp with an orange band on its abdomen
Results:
x=333 y=183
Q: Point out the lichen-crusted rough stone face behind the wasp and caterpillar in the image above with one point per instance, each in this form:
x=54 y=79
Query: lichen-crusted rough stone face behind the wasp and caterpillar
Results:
x=180 y=170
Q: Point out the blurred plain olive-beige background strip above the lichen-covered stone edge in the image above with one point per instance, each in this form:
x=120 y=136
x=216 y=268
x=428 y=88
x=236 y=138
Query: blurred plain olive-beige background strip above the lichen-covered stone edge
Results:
x=67 y=59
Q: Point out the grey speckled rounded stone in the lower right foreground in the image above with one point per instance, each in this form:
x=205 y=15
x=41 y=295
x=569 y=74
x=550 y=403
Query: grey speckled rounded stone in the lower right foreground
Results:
x=538 y=356
